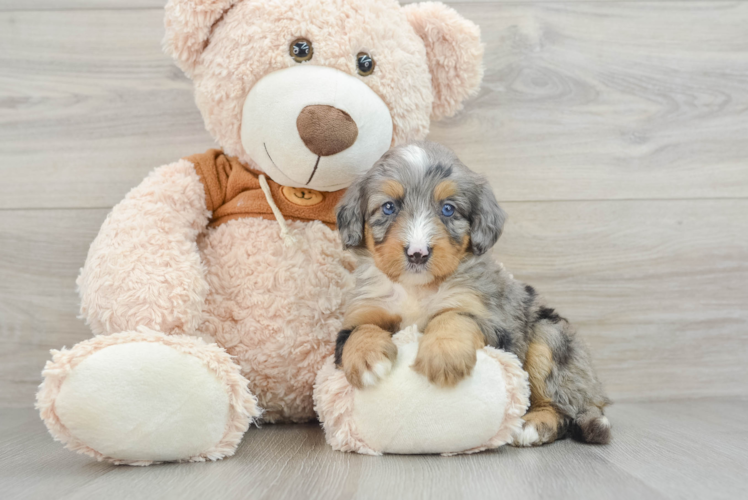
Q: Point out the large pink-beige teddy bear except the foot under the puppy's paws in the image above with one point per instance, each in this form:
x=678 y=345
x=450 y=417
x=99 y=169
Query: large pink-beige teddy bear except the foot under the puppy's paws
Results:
x=214 y=290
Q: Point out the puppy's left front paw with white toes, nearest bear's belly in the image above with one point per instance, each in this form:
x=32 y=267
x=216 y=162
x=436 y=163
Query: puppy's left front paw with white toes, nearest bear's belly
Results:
x=368 y=356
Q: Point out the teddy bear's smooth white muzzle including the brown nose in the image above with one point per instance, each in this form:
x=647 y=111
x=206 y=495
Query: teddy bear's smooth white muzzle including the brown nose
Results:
x=314 y=127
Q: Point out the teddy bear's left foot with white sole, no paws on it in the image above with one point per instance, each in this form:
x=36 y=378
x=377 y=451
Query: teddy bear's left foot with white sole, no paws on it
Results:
x=139 y=397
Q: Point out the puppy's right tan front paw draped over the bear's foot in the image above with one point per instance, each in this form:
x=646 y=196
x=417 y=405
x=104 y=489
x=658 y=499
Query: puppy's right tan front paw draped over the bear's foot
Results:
x=445 y=360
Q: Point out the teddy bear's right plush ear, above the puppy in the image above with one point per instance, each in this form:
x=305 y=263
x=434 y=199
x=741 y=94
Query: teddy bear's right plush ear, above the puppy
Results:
x=454 y=51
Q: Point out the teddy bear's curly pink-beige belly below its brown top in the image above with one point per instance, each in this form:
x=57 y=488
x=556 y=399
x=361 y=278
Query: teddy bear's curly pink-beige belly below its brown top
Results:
x=276 y=308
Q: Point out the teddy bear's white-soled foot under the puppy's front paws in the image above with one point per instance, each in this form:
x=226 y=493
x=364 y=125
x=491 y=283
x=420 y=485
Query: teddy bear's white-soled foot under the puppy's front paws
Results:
x=405 y=413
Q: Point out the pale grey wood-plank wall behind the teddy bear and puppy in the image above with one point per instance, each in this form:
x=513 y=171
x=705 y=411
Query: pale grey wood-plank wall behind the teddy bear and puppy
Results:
x=615 y=134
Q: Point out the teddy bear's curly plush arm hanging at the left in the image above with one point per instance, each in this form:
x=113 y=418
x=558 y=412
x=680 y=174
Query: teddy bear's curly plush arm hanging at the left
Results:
x=143 y=268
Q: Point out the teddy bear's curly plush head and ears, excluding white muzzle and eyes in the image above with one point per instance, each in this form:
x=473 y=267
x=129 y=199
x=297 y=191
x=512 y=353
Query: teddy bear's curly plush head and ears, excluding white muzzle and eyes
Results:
x=429 y=58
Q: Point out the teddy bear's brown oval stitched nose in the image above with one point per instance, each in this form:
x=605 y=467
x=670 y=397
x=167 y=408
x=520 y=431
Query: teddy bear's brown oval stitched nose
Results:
x=326 y=130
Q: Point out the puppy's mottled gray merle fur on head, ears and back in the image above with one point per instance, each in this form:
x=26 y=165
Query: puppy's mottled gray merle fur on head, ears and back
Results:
x=517 y=315
